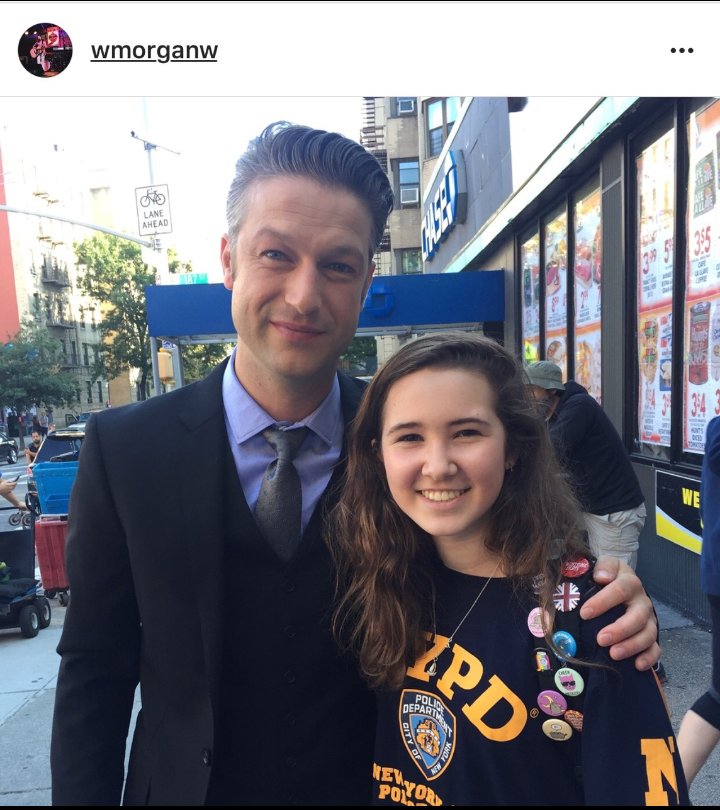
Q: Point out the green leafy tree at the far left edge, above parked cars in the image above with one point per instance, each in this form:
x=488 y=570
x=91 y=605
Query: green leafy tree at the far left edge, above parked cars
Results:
x=31 y=370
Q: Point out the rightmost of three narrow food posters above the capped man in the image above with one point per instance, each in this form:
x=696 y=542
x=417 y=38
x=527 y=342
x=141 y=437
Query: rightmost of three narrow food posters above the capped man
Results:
x=587 y=271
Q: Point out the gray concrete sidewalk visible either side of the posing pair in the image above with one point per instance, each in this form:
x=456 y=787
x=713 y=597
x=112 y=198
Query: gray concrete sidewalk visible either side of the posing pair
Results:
x=28 y=670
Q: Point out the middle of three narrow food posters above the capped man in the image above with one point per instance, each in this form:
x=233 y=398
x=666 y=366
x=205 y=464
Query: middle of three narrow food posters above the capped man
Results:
x=556 y=291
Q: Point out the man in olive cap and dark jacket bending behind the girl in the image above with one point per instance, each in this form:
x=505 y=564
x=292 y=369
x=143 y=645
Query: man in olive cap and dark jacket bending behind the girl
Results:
x=600 y=470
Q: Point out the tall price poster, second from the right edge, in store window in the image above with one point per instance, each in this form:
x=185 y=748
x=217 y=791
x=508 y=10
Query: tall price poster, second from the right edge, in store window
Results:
x=655 y=168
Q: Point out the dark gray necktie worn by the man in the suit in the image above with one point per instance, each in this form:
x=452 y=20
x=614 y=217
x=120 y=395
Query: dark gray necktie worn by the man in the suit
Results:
x=278 y=510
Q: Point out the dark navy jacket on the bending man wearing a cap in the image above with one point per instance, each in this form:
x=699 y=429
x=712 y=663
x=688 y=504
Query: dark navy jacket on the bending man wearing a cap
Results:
x=593 y=453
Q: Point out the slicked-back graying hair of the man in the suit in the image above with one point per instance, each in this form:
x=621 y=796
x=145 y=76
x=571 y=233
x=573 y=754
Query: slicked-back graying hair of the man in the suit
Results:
x=285 y=150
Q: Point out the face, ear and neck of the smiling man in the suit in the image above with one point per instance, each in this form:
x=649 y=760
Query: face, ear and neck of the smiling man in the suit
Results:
x=298 y=273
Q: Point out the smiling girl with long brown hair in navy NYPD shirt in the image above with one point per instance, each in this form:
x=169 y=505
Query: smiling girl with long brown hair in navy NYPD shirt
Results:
x=463 y=609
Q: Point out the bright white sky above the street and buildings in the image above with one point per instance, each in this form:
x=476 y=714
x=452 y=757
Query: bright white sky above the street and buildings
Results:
x=195 y=153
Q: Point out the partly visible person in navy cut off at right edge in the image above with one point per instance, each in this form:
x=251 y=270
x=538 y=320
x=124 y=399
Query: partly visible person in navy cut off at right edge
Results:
x=700 y=727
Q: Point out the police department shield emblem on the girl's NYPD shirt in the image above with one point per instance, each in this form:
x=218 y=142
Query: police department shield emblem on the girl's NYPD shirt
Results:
x=428 y=731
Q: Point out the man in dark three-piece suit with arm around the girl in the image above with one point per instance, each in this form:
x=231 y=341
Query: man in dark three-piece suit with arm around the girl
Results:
x=245 y=699
